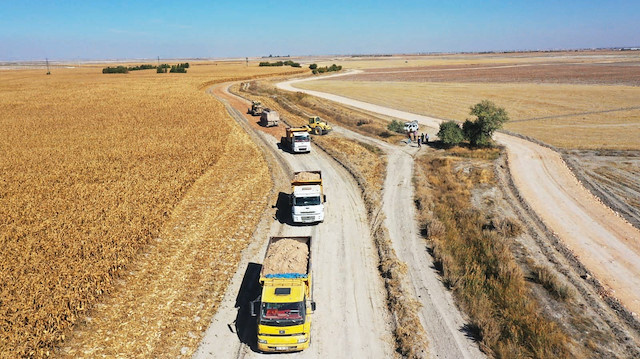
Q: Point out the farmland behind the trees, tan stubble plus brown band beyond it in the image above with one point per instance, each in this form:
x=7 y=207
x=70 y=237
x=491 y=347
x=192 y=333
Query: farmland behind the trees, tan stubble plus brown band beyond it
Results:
x=579 y=102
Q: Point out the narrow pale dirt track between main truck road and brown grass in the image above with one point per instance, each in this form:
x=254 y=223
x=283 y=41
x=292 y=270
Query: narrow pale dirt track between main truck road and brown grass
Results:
x=439 y=316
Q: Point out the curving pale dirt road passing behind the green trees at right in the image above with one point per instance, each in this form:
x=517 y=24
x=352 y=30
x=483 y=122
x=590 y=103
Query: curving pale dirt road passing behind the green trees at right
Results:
x=608 y=246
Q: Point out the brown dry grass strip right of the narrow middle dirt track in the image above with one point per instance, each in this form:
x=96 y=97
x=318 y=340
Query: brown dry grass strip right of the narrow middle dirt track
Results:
x=472 y=251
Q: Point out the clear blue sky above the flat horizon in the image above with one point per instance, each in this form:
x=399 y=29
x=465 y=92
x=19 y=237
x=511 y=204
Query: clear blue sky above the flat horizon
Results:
x=68 y=30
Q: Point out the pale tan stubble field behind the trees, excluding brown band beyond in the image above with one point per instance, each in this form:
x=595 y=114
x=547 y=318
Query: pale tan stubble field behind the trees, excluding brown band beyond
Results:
x=558 y=114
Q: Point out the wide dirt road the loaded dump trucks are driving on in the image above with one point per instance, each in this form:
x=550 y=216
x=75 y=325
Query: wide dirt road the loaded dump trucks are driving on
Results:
x=351 y=319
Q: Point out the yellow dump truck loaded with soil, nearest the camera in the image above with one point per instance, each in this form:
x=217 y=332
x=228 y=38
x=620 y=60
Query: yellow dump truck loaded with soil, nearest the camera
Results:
x=285 y=307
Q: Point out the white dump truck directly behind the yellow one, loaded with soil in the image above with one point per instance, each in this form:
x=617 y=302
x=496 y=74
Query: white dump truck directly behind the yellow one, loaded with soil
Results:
x=307 y=197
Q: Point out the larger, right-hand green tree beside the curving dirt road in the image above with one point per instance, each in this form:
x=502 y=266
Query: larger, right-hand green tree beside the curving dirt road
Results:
x=489 y=118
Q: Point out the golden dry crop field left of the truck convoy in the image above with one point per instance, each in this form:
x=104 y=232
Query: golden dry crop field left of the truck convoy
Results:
x=94 y=168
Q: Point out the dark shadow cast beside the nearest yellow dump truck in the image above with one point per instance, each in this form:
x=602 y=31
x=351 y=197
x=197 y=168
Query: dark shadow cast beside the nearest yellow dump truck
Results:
x=246 y=325
